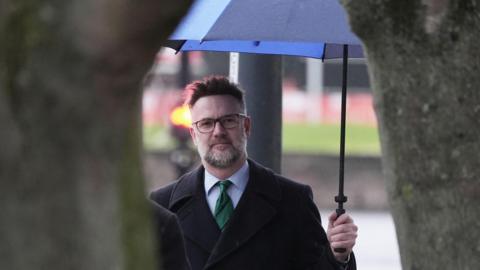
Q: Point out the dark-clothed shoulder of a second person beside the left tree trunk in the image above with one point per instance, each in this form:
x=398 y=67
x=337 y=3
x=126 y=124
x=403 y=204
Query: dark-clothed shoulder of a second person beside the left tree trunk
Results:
x=170 y=247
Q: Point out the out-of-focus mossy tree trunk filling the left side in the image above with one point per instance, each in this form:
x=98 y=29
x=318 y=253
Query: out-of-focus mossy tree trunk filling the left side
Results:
x=72 y=191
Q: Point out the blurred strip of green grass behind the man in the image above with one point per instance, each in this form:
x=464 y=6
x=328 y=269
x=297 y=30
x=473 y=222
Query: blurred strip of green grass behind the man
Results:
x=297 y=138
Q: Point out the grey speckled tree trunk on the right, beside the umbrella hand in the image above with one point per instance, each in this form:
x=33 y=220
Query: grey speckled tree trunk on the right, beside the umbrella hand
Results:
x=424 y=65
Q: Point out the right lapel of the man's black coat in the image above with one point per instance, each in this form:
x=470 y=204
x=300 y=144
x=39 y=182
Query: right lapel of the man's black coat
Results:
x=256 y=208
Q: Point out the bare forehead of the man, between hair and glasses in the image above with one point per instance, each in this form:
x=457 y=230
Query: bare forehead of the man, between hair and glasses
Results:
x=215 y=106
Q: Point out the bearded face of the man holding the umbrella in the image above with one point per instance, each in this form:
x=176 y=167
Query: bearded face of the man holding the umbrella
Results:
x=220 y=148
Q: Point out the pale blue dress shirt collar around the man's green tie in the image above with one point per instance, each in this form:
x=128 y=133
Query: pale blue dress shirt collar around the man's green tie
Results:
x=239 y=181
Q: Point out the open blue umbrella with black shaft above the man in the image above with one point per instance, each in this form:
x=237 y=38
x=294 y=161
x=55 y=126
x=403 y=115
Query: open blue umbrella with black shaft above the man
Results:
x=310 y=28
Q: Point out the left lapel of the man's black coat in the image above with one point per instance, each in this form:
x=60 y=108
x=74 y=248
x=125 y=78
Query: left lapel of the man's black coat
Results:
x=189 y=203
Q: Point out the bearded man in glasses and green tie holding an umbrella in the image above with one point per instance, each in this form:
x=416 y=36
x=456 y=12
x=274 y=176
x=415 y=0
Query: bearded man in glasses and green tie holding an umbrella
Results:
x=237 y=214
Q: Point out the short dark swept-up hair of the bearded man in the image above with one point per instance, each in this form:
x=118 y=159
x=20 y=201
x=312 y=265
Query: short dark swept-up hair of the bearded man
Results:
x=210 y=86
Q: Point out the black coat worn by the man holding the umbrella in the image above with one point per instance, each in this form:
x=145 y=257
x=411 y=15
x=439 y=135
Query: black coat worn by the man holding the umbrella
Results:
x=274 y=226
